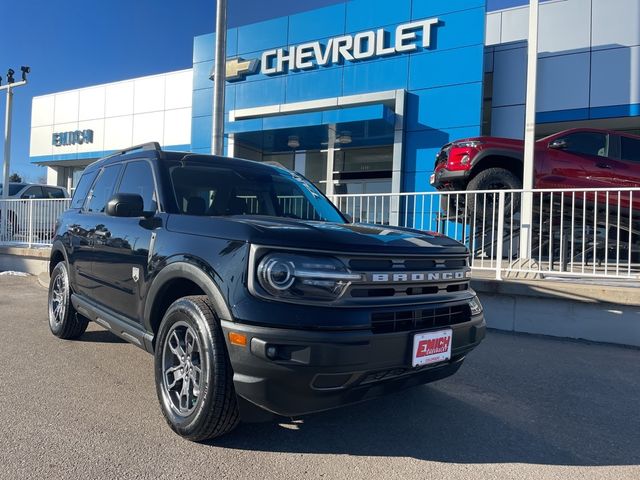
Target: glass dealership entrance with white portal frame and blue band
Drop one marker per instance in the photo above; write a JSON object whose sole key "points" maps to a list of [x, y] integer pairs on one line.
{"points": [[353, 149]]}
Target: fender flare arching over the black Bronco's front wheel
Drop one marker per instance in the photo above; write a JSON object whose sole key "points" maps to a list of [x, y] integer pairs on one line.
{"points": [[185, 270]]}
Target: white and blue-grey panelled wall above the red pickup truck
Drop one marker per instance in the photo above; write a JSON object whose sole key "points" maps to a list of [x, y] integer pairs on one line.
{"points": [[589, 56]]}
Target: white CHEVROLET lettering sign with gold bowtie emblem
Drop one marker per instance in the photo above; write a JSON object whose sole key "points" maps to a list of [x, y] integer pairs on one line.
{"points": [[345, 48]]}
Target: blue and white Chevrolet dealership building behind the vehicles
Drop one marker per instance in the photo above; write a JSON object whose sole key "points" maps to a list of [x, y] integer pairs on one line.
{"points": [[359, 96]]}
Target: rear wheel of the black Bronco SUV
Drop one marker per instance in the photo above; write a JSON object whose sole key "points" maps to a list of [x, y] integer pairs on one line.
{"points": [[64, 321]]}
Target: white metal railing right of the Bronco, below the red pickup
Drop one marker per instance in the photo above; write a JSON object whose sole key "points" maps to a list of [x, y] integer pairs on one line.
{"points": [[580, 233]]}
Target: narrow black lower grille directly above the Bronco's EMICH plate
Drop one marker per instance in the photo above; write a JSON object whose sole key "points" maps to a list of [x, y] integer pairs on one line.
{"points": [[421, 319]]}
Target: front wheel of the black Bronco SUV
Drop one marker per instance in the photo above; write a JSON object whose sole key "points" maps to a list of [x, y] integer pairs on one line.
{"points": [[194, 379]]}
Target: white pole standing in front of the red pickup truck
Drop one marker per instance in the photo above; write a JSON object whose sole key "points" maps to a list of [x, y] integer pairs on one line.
{"points": [[526, 204]]}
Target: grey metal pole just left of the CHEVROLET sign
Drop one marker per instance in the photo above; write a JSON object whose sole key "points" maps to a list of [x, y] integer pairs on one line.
{"points": [[219, 78]]}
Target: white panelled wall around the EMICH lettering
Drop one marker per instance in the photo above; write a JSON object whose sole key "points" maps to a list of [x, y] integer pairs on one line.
{"points": [[122, 114]]}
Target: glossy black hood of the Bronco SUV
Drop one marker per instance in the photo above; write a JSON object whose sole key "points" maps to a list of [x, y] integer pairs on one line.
{"points": [[321, 236]]}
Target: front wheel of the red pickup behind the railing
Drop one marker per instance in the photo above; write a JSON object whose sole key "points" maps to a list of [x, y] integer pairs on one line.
{"points": [[493, 179]]}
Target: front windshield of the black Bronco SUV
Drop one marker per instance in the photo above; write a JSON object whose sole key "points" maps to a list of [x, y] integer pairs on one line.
{"points": [[223, 191]]}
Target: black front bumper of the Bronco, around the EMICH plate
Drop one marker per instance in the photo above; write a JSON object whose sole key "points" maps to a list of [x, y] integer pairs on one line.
{"points": [[319, 370]]}
